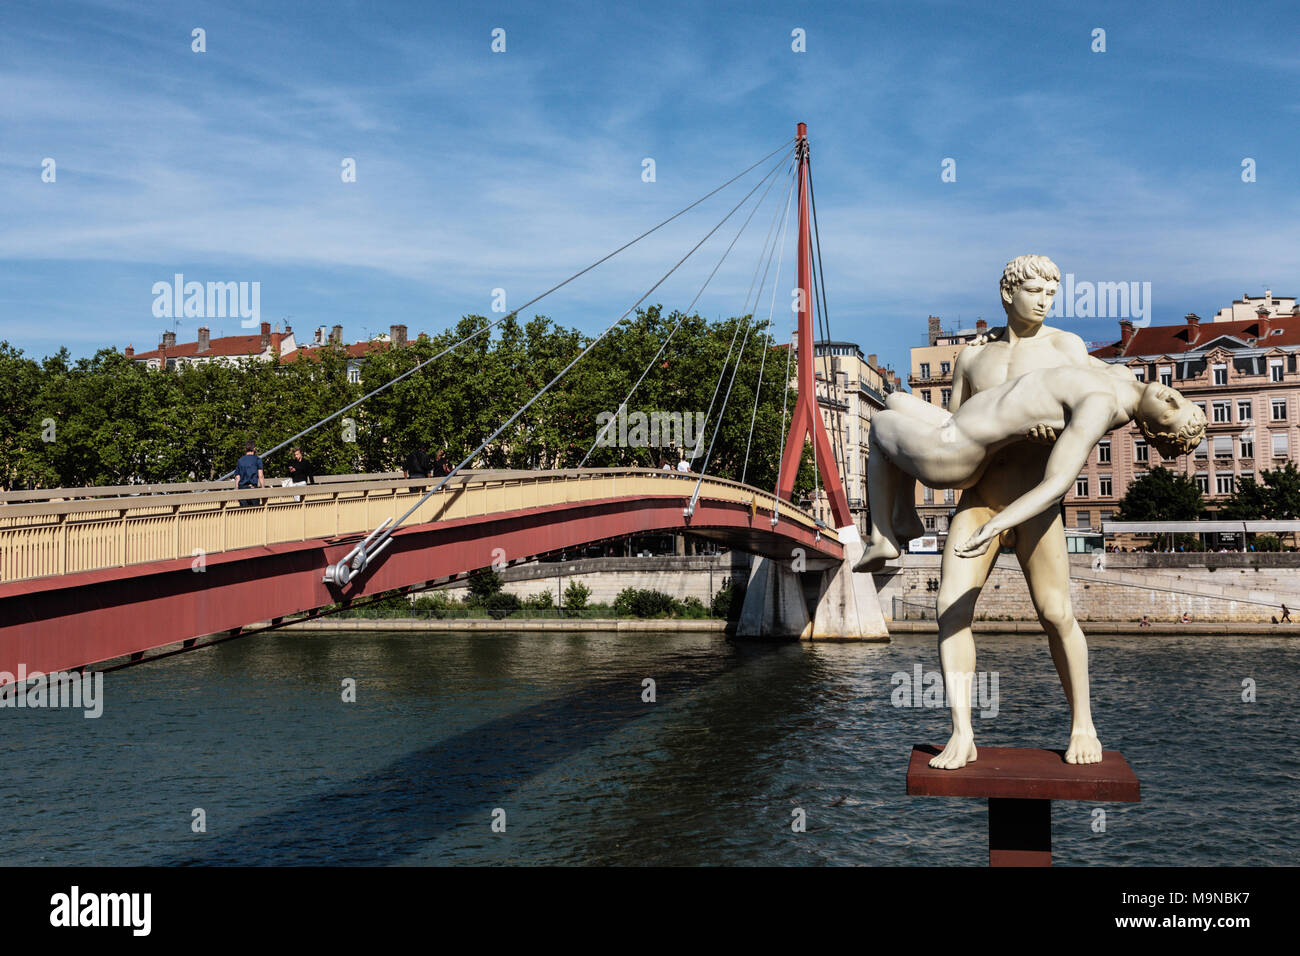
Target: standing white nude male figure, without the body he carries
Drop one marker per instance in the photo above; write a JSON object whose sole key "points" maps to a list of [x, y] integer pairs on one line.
{"points": [[1025, 345]]}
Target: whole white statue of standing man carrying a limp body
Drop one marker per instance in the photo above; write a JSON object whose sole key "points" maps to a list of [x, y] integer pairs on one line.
{"points": [[1012, 487]]}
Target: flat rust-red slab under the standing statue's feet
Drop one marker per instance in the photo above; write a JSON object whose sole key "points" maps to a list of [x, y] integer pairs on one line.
{"points": [[1026, 775]]}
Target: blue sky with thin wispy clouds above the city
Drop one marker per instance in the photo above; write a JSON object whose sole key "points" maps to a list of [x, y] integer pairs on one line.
{"points": [[480, 171]]}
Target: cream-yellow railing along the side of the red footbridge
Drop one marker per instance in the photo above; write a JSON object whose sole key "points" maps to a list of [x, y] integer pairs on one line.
{"points": [[89, 533]]}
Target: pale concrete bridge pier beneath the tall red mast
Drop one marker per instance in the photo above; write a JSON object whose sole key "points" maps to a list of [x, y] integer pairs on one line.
{"points": [[844, 604]]}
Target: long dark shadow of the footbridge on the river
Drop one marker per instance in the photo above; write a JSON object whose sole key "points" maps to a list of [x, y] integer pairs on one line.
{"points": [[387, 815]]}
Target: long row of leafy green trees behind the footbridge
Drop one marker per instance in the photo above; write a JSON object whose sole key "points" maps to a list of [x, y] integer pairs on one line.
{"points": [[109, 421]]}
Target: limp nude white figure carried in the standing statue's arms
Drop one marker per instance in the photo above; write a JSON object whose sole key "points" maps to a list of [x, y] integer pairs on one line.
{"points": [[915, 440]]}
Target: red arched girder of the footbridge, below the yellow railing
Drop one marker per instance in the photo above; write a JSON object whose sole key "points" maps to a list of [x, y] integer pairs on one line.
{"points": [[81, 620]]}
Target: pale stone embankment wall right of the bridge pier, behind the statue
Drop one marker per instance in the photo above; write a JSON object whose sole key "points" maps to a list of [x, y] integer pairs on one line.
{"points": [[1164, 587]]}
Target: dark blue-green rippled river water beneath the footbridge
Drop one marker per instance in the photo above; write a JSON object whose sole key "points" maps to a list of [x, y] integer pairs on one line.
{"points": [[551, 733]]}
